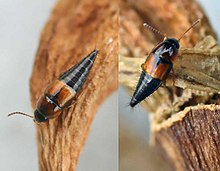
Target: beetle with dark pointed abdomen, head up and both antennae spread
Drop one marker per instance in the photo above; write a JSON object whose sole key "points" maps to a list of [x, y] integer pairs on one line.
{"points": [[157, 66]]}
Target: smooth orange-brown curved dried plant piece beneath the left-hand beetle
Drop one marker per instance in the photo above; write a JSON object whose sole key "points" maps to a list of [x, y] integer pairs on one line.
{"points": [[74, 29]]}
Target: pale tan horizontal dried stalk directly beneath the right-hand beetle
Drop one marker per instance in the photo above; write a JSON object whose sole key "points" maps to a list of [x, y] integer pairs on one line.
{"points": [[195, 68]]}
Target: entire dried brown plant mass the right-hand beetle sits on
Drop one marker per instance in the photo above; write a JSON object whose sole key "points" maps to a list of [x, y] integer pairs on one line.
{"points": [[186, 136]]}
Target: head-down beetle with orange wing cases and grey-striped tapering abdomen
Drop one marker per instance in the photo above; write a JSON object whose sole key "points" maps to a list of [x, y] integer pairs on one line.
{"points": [[62, 93]]}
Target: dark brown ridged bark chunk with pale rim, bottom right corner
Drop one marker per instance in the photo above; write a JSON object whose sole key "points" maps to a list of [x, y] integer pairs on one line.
{"points": [[191, 138]]}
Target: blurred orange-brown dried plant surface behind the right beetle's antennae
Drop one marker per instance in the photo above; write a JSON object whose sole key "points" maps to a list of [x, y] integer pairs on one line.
{"points": [[170, 17]]}
